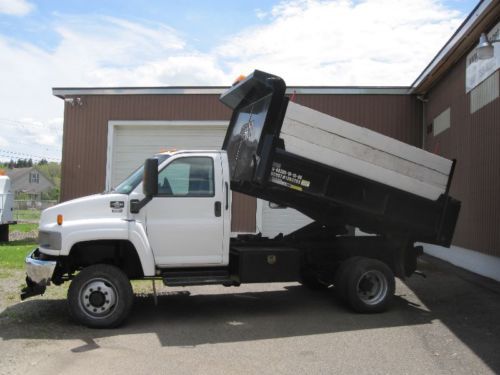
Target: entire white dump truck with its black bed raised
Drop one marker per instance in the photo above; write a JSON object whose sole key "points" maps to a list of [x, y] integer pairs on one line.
{"points": [[170, 220]]}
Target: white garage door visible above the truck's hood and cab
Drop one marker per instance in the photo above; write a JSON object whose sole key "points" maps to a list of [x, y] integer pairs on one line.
{"points": [[132, 143]]}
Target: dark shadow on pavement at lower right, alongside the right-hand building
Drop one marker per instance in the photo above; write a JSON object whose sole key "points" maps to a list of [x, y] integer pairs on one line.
{"points": [[467, 304]]}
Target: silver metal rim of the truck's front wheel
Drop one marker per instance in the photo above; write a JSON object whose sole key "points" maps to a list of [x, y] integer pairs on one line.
{"points": [[98, 298]]}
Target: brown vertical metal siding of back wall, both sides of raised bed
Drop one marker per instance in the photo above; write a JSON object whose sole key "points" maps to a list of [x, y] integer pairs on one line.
{"points": [[86, 131]]}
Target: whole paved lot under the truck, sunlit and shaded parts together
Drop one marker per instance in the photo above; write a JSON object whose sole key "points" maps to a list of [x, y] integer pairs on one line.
{"points": [[444, 324]]}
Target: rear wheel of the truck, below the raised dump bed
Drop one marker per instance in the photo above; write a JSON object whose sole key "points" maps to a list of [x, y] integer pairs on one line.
{"points": [[370, 285]]}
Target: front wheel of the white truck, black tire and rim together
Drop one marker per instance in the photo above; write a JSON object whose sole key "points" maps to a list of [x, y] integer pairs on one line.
{"points": [[100, 296]]}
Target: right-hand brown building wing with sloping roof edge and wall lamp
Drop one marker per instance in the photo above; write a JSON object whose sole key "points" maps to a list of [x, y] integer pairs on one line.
{"points": [[461, 120]]}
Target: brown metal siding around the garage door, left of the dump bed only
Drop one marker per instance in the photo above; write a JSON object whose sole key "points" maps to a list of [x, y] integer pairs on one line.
{"points": [[86, 131]]}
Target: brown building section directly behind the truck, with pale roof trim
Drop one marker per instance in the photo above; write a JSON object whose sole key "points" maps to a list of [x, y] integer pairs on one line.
{"points": [[87, 120]]}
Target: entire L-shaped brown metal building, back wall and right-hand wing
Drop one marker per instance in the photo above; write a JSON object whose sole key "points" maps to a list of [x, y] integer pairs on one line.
{"points": [[439, 112]]}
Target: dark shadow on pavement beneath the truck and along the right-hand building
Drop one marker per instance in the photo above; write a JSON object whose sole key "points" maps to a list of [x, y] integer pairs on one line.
{"points": [[466, 304]]}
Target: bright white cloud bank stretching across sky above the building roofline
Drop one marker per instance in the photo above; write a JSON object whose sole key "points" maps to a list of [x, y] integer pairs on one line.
{"points": [[309, 42]]}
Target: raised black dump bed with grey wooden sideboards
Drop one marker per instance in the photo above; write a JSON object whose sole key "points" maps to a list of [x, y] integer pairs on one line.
{"points": [[334, 171]]}
